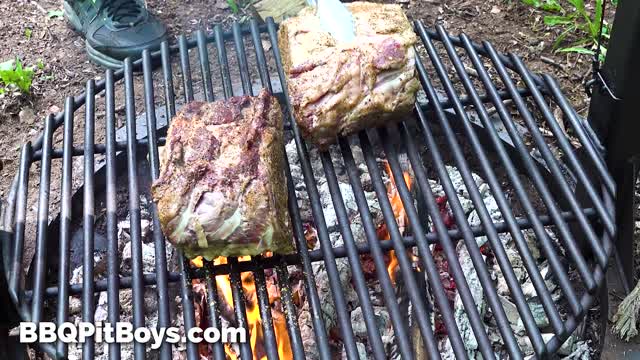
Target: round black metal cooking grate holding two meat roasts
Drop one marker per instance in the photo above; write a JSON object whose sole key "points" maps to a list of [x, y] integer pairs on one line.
{"points": [[463, 121]]}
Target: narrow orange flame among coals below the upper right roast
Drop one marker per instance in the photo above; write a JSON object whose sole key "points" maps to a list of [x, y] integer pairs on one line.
{"points": [[400, 214]]}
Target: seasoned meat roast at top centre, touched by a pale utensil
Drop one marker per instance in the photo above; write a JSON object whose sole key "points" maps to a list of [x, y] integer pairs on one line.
{"points": [[341, 88]]}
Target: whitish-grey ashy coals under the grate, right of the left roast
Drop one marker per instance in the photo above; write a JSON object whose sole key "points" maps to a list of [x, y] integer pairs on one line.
{"points": [[471, 278]]}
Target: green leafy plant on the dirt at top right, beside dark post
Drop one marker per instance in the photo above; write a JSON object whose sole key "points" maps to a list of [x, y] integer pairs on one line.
{"points": [[573, 18]]}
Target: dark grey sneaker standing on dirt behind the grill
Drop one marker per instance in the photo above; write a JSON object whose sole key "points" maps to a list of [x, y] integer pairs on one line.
{"points": [[114, 29]]}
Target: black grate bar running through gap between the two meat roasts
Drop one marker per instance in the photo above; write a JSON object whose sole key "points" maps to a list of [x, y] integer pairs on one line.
{"points": [[314, 301]]}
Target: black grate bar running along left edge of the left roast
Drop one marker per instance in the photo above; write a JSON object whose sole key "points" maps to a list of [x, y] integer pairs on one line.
{"points": [[164, 317]]}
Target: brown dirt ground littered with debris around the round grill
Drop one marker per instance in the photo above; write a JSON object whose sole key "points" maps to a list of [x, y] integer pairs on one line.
{"points": [[509, 25]]}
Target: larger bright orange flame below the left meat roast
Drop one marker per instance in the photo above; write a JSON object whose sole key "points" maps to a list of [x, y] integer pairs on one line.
{"points": [[254, 321]]}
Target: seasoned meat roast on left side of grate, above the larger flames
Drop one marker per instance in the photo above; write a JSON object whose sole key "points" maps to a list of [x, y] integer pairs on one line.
{"points": [[222, 189]]}
